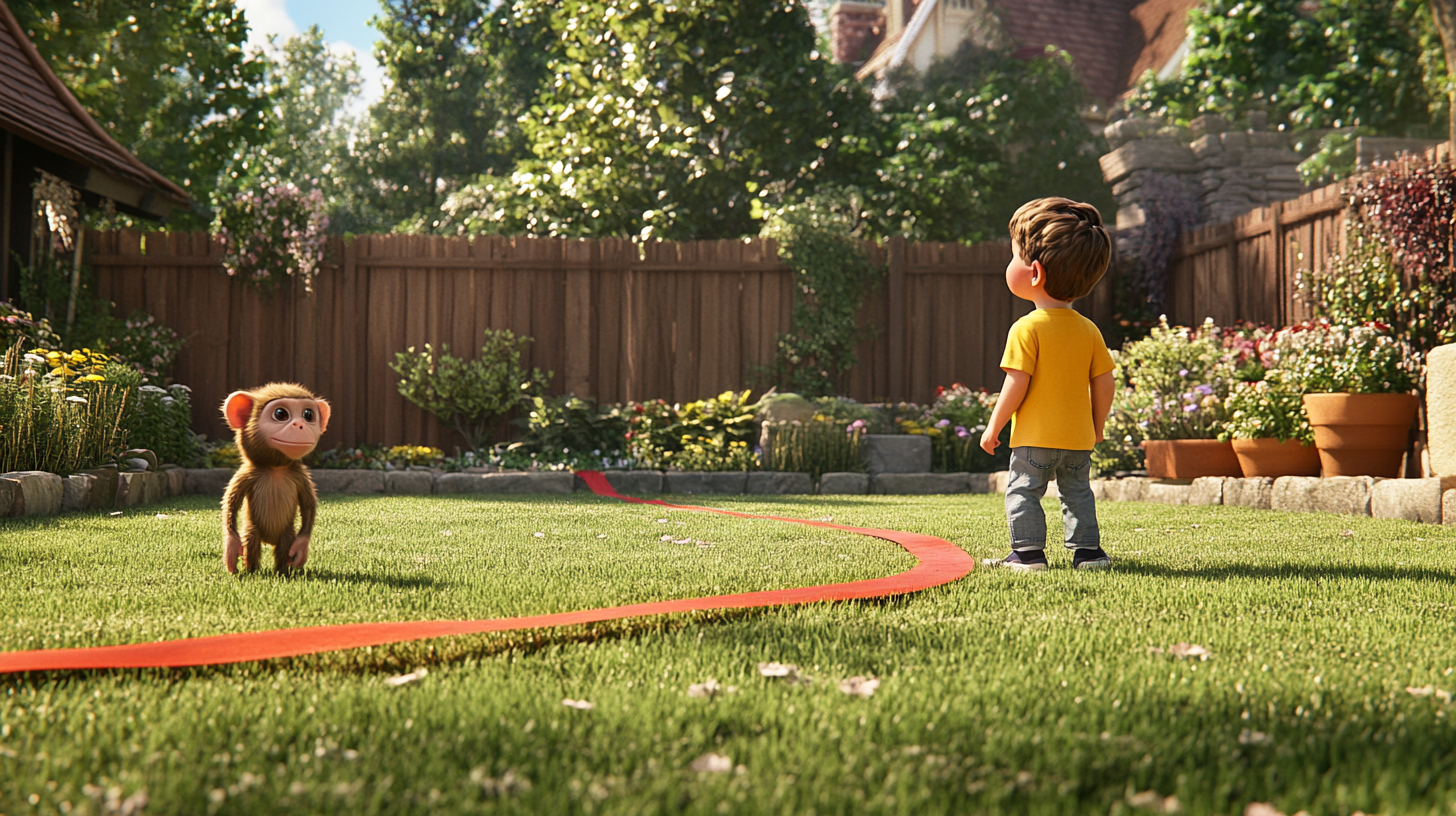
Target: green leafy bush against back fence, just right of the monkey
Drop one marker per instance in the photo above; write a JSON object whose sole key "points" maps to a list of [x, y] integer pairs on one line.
{"points": [[470, 396]]}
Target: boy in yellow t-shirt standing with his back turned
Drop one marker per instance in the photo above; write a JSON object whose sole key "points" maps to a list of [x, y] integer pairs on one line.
{"points": [[1059, 381]]}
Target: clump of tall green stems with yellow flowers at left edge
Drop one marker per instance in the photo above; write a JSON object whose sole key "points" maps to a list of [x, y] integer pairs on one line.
{"points": [[59, 413]]}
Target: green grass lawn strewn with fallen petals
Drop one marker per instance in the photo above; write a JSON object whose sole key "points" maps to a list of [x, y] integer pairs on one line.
{"points": [[1000, 694]]}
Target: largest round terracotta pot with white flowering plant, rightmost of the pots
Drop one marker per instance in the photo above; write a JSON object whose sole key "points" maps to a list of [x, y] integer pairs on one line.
{"points": [[1358, 384]]}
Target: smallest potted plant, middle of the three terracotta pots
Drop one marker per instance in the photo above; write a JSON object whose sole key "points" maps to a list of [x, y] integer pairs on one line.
{"points": [[1270, 431]]}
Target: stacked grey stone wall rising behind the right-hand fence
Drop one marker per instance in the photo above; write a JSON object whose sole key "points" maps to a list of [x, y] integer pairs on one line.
{"points": [[1233, 171]]}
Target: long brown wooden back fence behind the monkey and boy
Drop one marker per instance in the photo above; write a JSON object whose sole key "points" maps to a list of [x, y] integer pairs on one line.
{"points": [[614, 320]]}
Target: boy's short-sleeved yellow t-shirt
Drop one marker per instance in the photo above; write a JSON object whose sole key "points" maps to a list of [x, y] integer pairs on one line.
{"points": [[1062, 352]]}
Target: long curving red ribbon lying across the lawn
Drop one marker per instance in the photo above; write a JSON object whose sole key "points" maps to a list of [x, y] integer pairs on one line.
{"points": [[941, 563]]}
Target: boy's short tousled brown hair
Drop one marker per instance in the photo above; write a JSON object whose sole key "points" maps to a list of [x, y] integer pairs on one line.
{"points": [[1069, 240]]}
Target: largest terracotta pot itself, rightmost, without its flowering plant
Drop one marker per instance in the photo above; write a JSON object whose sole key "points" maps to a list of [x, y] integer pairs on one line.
{"points": [[1362, 435]]}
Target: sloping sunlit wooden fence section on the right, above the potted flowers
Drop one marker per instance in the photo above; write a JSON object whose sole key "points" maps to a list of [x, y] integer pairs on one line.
{"points": [[1250, 269]]}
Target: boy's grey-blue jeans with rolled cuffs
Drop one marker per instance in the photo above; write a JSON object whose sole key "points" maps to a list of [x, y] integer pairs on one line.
{"points": [[1032, 468]]}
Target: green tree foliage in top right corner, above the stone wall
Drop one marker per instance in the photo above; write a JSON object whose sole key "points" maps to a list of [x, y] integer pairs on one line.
{"points": [[1337, 63]]}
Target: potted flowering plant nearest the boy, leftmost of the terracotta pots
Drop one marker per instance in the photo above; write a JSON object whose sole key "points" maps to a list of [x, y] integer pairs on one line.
{"points": [[1173, 387]]}
